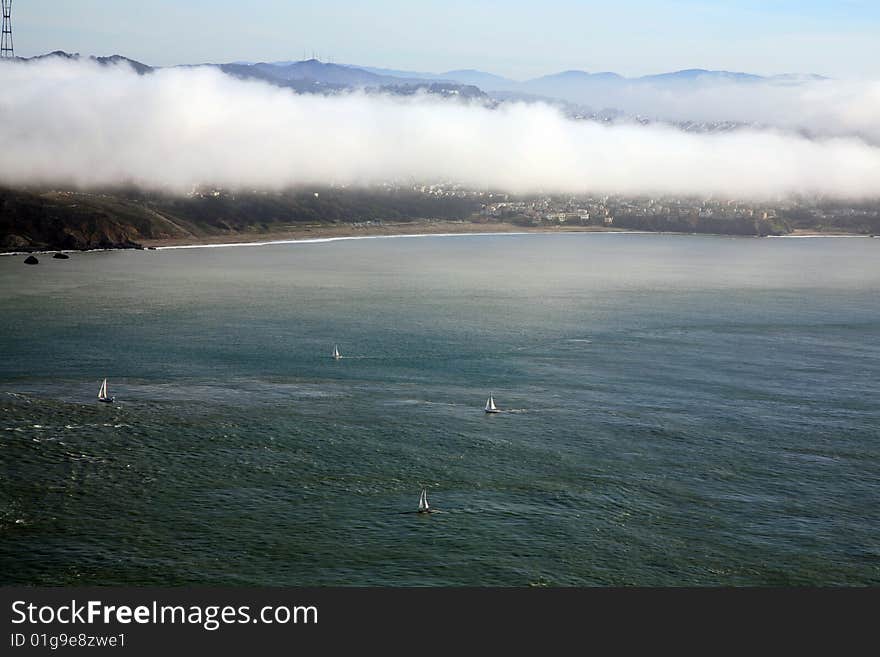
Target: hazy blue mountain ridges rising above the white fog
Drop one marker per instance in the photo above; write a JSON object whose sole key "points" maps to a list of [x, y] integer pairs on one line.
{"points": [[602, 96]]}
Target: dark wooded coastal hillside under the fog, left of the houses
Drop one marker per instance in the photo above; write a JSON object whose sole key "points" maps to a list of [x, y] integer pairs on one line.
{"points": [[40, 220]]}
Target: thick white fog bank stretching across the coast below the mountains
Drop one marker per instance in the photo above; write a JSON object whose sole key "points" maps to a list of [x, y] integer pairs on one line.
{"points": [[80, 124]]}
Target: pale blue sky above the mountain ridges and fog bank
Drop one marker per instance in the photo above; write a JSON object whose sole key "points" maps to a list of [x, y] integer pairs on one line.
{"points": [[515, 38]]}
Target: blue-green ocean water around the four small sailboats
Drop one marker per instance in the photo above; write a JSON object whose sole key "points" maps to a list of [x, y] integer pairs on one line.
{"points": [[679, 410]]}
